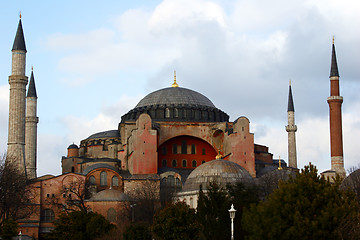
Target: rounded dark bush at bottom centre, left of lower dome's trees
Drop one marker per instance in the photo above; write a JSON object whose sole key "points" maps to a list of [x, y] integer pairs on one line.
{"points": [[176, 222]]}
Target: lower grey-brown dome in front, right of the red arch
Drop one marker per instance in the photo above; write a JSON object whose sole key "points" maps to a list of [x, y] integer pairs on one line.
{"points": [[222, 171]]}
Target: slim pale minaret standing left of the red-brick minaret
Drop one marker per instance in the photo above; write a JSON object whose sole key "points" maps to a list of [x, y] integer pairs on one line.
{"points": [[291, 128]]}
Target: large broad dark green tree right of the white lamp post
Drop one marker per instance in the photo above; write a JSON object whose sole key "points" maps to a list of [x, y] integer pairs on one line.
{"points": [[305, 207]]}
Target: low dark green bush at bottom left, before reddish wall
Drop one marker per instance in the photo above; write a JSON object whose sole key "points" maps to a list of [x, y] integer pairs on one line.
{"points": [[80, 225]]}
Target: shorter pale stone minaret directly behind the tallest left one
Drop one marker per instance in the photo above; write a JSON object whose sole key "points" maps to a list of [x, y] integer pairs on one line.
{"points": [[31, 129]]}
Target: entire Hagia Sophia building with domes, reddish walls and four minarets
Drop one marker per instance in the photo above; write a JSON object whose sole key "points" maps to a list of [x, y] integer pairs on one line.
{"points": [[174, 138]]}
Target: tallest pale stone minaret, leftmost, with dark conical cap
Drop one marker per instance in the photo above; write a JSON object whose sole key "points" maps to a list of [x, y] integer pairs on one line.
{"points": [[17, 81]]}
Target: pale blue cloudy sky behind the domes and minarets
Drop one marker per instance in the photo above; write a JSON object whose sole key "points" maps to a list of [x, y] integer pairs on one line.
{"points": [[93, 62]]}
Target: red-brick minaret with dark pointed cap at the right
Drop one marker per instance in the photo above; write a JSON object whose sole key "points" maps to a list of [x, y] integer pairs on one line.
{"points": [[335, 101]]}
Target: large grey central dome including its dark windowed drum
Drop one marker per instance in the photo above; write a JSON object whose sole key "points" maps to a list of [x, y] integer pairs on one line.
{"points": [[177, 104]]}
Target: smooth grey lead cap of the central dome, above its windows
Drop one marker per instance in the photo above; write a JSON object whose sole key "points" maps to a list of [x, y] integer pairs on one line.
{"points": [[175, 96]]}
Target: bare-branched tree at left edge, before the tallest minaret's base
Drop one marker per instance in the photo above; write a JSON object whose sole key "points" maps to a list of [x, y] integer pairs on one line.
{"points": [[15, 195]]}
